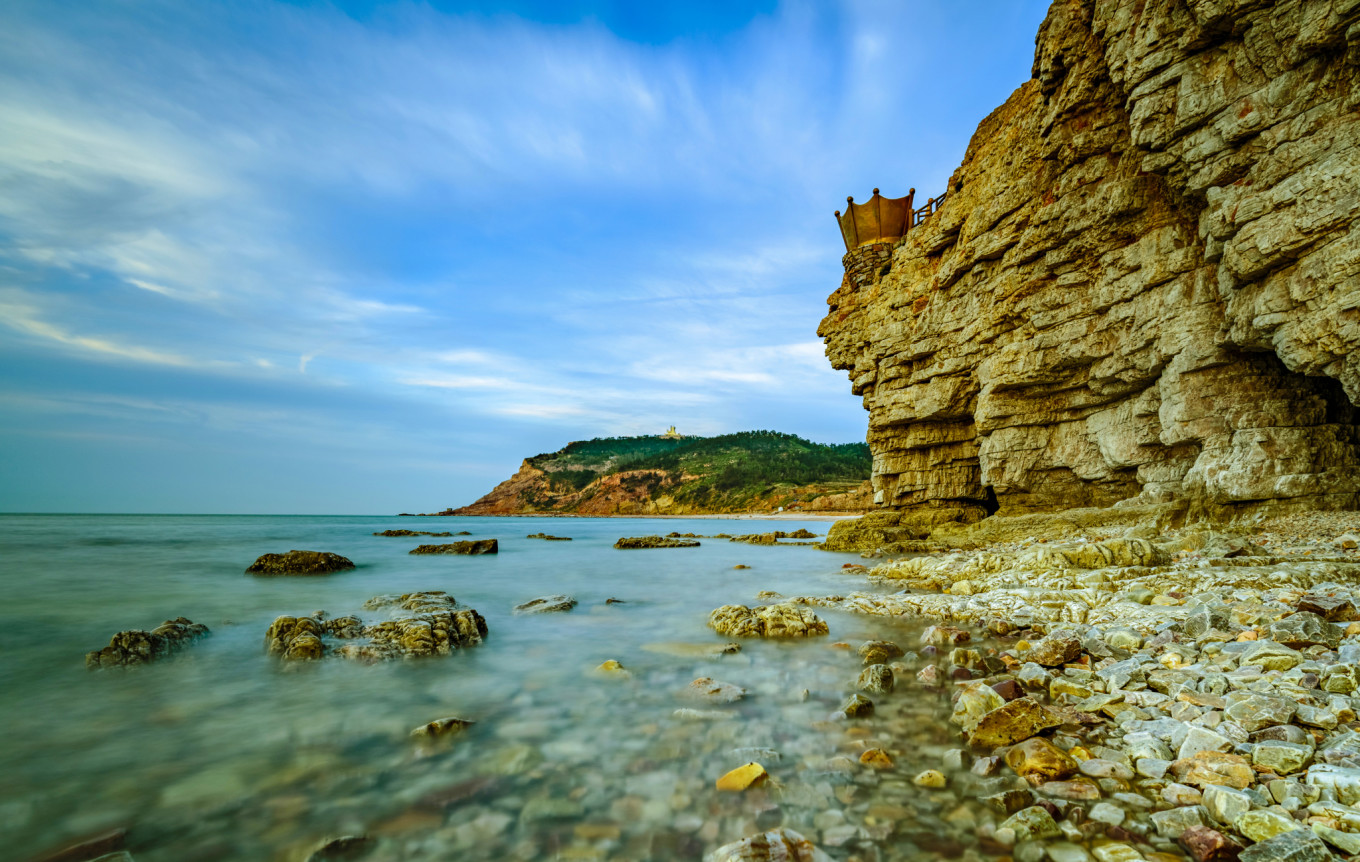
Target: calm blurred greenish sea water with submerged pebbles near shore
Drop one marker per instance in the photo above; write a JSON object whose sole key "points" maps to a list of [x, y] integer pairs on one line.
{"points": [[224, 754]]}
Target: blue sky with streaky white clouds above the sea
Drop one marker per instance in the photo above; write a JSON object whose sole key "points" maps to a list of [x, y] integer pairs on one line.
{"points": [[365, 258]]}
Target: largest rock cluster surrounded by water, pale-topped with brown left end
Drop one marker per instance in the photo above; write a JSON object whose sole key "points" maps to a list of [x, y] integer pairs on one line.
{"points": [[422, 625]]}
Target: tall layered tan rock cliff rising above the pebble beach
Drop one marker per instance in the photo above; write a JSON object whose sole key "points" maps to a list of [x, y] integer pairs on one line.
{"points": [[1146, 283]]}
